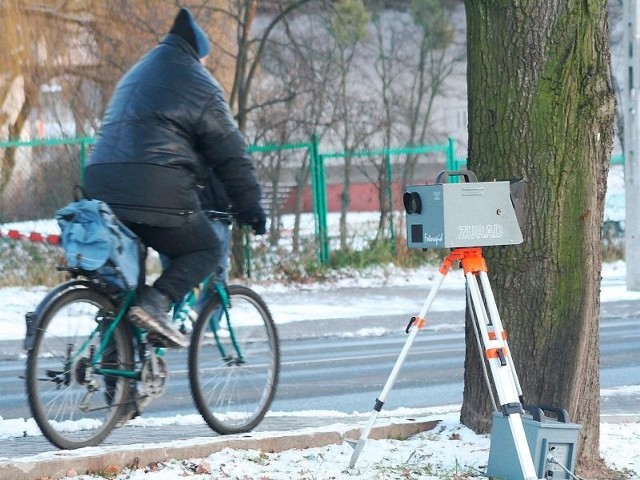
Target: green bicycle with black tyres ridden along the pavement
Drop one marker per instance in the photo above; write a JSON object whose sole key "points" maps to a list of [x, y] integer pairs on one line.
{"points": [[88, 369]]}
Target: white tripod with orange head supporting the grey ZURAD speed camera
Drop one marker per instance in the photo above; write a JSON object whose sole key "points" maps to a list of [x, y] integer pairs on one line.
{"points": [[491, 335]]}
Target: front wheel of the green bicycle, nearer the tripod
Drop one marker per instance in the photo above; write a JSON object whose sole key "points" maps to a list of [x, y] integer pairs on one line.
{"points": [[234, 362]]}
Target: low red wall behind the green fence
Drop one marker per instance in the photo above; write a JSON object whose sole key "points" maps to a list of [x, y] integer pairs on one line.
{"points": [[365, 197]]}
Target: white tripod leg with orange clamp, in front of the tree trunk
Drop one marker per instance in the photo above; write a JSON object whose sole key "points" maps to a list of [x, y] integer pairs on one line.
{"points": [[502, 369]]}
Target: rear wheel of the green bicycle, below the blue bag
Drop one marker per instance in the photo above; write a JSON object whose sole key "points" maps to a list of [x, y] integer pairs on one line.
{"points": [[73, 405]]}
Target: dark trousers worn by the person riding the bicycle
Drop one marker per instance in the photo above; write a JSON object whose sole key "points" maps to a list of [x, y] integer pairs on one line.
{"points": [[193, 250]]}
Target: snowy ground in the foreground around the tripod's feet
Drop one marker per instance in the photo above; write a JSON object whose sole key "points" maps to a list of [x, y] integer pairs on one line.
{"points": [[449, 451]]}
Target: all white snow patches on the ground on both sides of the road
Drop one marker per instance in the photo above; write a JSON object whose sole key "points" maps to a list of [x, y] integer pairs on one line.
{"points": [[449, 451]]}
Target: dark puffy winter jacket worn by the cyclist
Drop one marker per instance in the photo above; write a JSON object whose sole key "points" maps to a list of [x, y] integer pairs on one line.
{"points": [[167, 122]]}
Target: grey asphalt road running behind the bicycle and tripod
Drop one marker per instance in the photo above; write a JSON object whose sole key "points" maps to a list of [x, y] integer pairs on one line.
{"points": [[327, 365]]}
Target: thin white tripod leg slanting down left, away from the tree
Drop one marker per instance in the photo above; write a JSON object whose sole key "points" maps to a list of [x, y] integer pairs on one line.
{"points": [[416, 325]]}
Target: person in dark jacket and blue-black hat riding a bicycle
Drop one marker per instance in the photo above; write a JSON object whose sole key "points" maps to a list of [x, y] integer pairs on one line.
{"points": [[167, 123]]}
